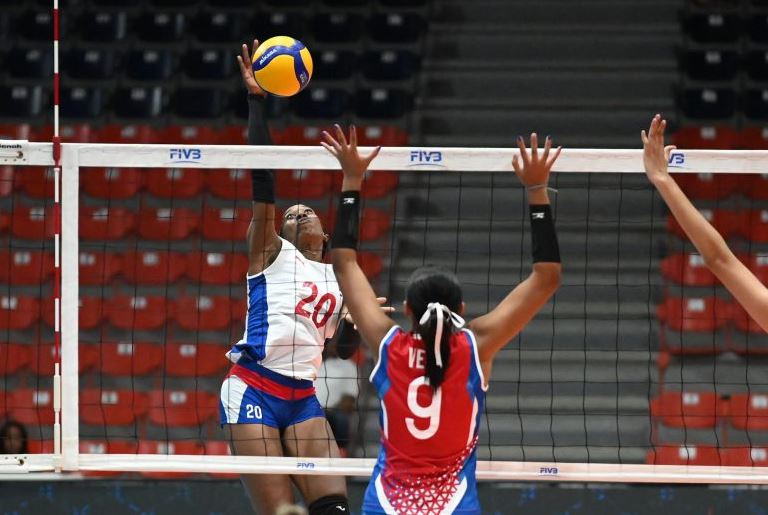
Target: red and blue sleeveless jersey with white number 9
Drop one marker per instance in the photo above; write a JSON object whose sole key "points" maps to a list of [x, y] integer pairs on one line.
{"points": [[427, 459]]}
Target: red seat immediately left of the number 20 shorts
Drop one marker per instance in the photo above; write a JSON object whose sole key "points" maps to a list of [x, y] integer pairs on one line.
{"points": [[180, 408]]}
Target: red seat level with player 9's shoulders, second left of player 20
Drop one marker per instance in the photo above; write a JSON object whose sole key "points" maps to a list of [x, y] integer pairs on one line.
{"points": [[130, 359]]}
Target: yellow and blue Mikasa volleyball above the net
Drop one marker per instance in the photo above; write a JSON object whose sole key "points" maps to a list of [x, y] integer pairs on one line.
{"points": [[282, 66]]}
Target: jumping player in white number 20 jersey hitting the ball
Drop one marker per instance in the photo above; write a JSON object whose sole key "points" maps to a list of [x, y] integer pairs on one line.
{"points": [[268, 402]]}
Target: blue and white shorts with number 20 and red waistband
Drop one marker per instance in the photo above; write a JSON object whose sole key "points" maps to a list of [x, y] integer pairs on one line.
{"points": [[249, 397]]}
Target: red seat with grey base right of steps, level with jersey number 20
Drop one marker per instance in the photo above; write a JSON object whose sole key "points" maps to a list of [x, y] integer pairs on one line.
{"points": [[693, 325]]}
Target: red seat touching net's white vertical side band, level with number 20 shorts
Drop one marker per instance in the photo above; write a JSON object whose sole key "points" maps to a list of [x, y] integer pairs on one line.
{"points": [[108, 407]]}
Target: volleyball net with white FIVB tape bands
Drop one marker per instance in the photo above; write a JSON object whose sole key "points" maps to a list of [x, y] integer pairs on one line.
{"points": [[641, 369]]}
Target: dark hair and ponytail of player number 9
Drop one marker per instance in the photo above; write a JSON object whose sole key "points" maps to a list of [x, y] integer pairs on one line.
{"points": [[427, 285]]}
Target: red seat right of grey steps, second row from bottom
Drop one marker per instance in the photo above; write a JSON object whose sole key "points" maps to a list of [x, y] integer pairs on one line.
{"points": [[692, 410]]}
